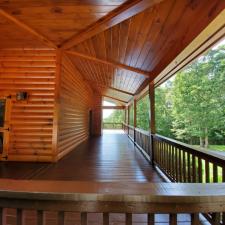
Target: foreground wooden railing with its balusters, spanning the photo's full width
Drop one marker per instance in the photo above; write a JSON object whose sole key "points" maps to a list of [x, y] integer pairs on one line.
{"points": [[83, 198]]}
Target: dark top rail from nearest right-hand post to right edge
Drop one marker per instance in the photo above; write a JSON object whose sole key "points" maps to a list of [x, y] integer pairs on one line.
{"points": [[202, 153]]}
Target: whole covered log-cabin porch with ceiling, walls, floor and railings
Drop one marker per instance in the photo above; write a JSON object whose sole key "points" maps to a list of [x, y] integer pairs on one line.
{"points": [[59, 61]]}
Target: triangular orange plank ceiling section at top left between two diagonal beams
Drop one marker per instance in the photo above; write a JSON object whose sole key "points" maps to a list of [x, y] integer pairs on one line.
{"points": [[59, 20]]}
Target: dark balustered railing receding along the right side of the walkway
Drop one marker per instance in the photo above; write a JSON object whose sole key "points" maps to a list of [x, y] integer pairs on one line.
{"points": [[181, 162]]}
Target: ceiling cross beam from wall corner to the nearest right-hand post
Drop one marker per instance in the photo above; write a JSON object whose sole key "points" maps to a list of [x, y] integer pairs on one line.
{"points": [[110, 63]]}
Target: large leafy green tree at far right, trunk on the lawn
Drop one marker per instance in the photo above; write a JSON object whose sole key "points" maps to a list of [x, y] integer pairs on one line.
{"points": [[199, 98]]}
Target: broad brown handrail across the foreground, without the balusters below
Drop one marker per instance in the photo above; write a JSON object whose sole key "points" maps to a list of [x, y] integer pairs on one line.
{"points": [[154, 193]]}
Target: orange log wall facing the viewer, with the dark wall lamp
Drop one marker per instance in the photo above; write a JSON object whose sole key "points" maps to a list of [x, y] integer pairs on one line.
{"points": [[31, 120]]}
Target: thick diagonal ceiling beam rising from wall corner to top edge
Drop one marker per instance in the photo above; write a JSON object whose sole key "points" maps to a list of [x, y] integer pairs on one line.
{"points": [[123, 12]]}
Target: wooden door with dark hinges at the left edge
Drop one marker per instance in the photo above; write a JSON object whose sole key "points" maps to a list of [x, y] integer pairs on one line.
{"points": [[5, 106]]}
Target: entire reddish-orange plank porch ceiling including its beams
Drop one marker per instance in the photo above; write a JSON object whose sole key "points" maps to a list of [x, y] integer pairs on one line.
{"points": [[123, 43]]}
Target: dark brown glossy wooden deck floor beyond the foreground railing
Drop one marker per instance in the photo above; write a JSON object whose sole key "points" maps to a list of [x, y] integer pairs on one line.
{"points": [[111, 157]]}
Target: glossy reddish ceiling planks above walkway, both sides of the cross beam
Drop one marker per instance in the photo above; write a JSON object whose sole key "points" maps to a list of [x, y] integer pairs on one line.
{"points": [[146, 41]]}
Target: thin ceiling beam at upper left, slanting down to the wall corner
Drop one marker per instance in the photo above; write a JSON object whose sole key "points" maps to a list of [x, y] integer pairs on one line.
{"points": [[22, 25]]}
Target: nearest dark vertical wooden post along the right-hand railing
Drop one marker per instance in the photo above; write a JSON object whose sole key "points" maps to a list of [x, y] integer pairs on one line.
{"points": [[152, 118]]}
